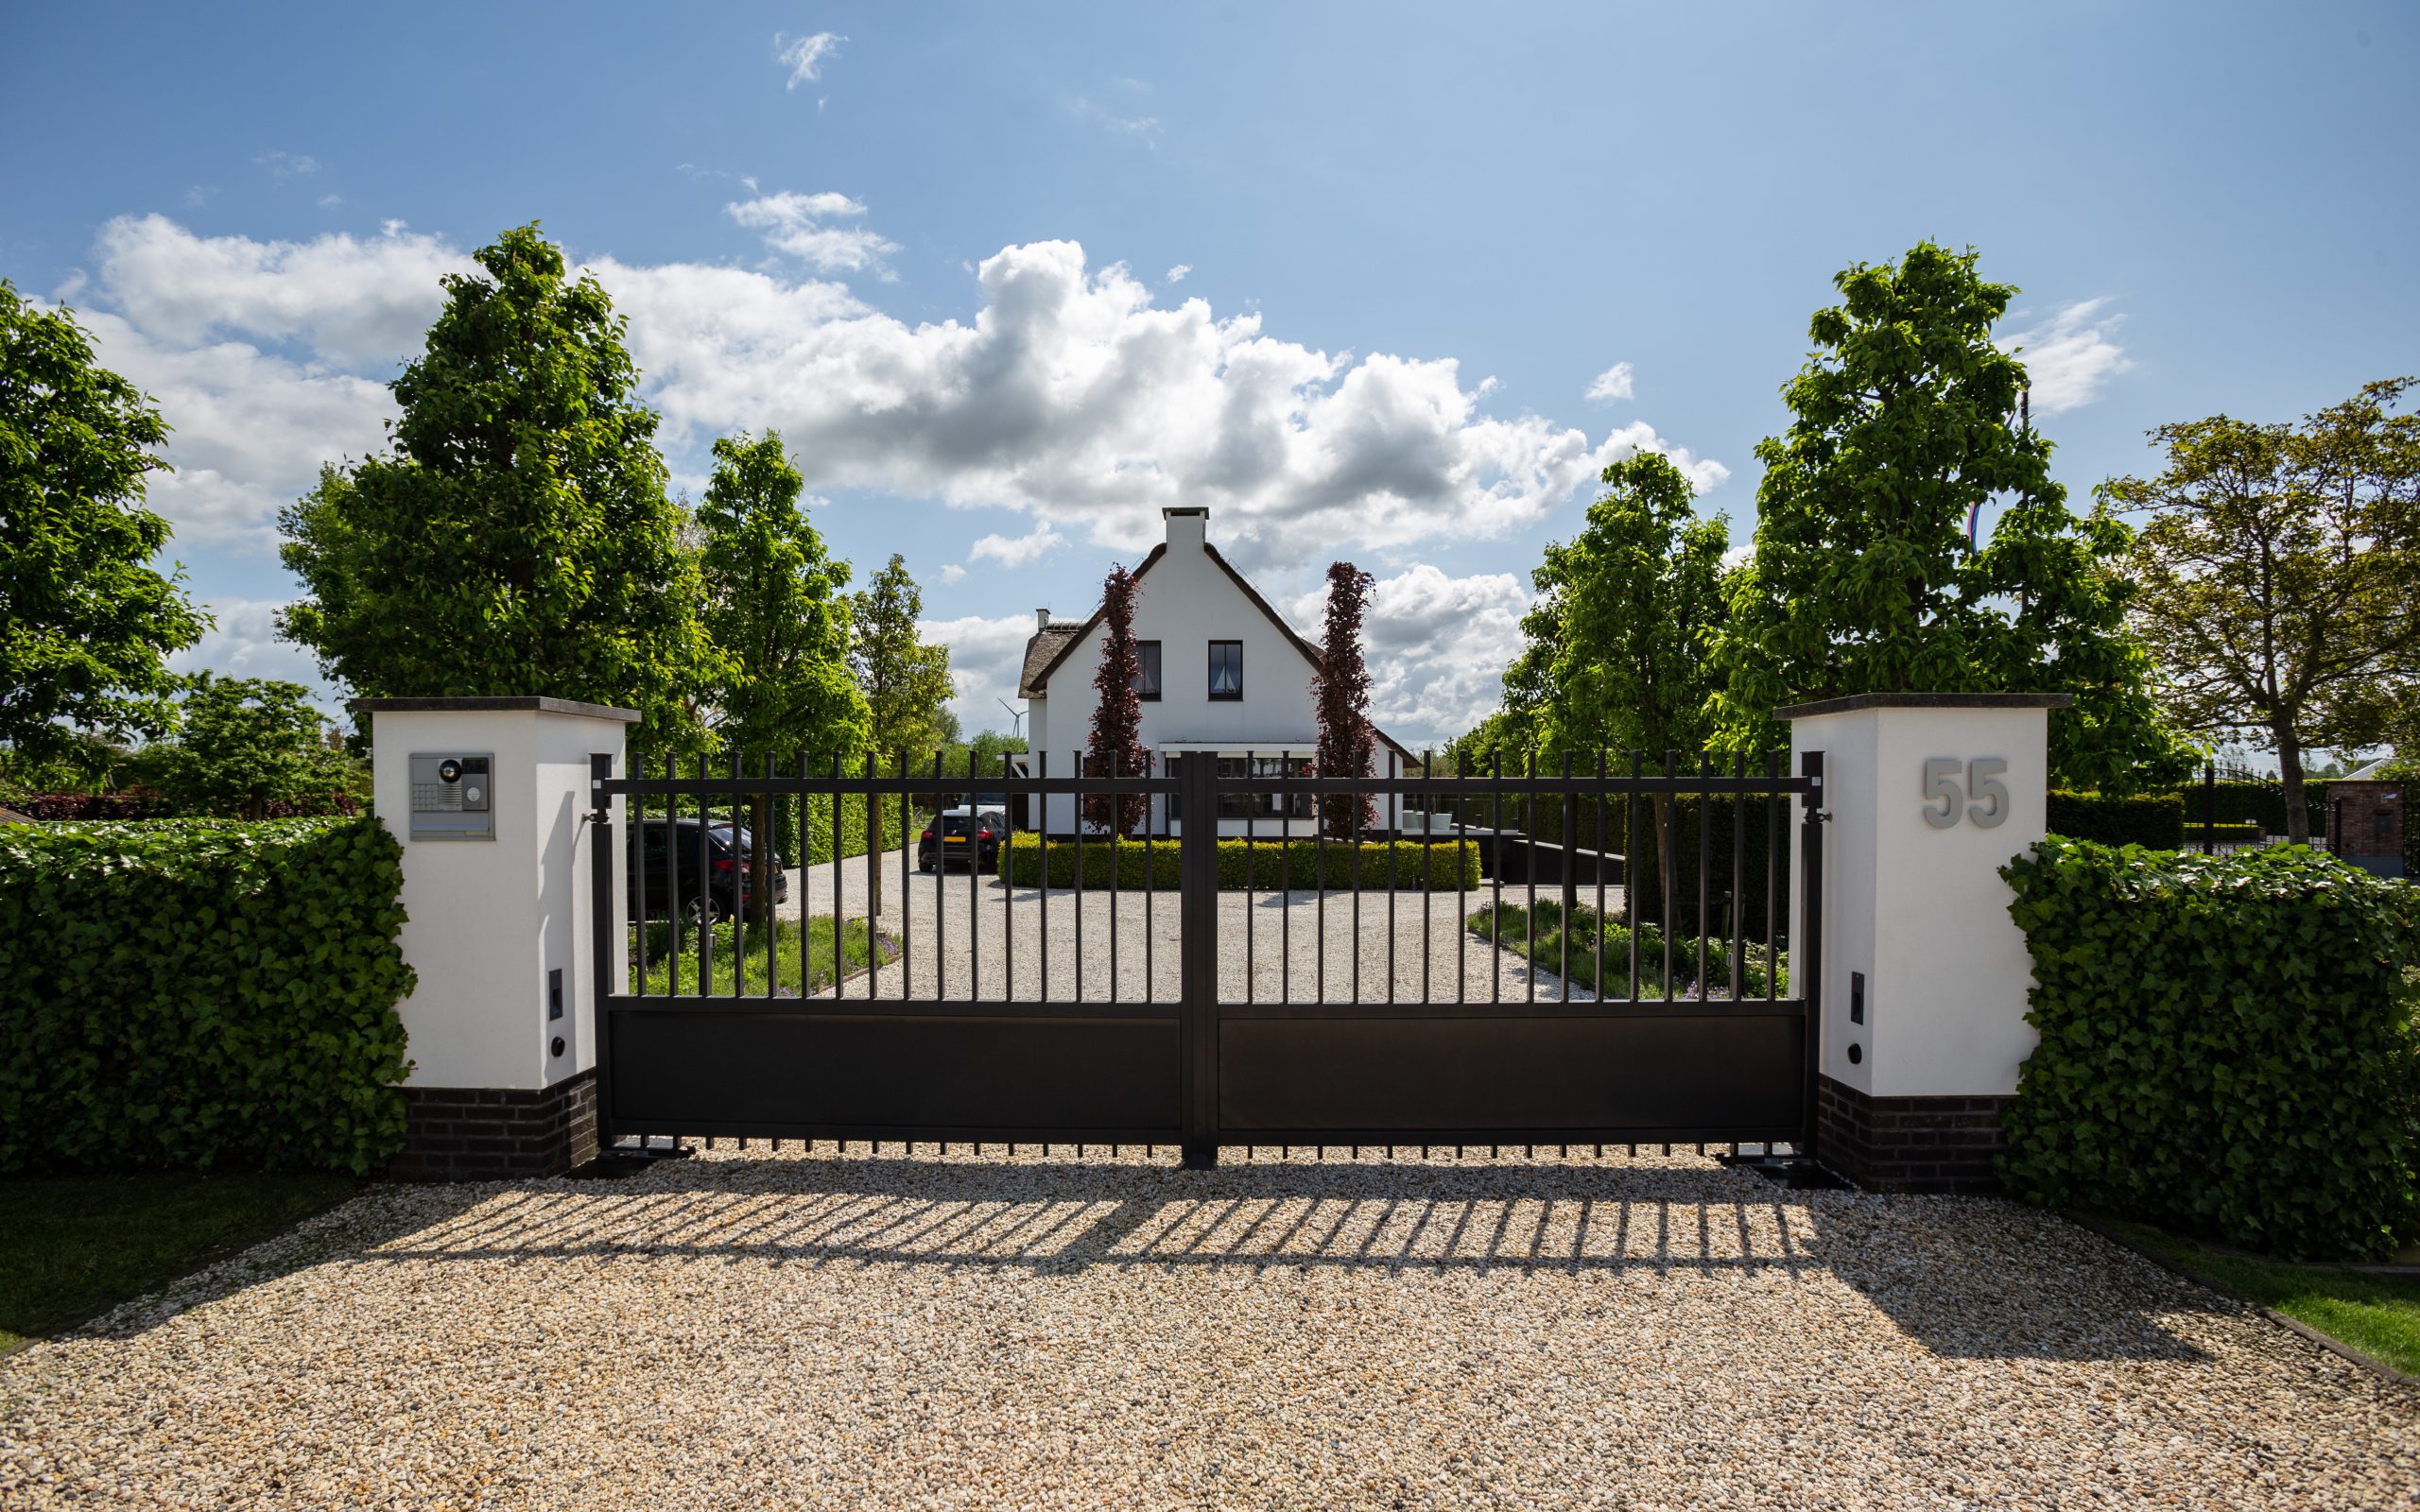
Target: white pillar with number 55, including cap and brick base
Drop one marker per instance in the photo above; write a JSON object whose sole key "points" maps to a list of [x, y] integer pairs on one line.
{"points": [[1925, 974]]}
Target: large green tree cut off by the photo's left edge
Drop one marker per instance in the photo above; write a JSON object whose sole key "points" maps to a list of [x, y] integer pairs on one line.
{"points": [[86, 623]]}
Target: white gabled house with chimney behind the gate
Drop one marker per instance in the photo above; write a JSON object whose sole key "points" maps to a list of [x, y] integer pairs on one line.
{"points": [[1223, 681]]}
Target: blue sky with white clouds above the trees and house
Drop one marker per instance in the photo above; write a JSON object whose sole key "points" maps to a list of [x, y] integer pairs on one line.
{"points": [[940, 250]]}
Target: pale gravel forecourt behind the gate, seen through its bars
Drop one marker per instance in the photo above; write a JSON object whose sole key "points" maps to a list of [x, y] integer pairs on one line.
{"points": [[1289, 940]]}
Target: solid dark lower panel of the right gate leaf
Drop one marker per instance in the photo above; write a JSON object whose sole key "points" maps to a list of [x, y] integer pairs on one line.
{"points": [[1565, 1073]]}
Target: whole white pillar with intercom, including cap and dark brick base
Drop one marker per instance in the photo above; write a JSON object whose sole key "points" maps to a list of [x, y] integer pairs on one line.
{"points": [[490, 802]]}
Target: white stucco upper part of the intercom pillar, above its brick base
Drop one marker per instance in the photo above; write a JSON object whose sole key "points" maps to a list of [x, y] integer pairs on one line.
{"points": [[488, 921]]}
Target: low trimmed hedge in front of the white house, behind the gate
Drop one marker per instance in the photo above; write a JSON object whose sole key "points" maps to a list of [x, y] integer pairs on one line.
{"points": [[1269, 865]]}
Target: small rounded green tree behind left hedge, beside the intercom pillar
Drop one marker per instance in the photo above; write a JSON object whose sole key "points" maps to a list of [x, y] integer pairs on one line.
{"points": [[246, 744]]}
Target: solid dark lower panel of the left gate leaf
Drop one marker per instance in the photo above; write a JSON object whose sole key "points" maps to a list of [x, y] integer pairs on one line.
{"points": [[817, 1073]]}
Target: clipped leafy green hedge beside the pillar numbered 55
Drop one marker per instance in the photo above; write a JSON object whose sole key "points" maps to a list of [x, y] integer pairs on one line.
{"points": [[2228, 1046]]}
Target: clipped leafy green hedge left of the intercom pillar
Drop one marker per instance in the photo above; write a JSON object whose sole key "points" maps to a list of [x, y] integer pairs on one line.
{"points": [[202, 993]]}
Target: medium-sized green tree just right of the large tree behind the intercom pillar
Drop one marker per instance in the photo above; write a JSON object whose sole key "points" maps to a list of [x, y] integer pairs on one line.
{"points": [[780, 628]]}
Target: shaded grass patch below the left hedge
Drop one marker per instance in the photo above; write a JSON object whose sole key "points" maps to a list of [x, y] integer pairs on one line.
{"points": [[79, 1245]]}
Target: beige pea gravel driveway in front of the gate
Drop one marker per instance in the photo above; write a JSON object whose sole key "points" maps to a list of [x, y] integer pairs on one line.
{"points": [[756, 1329]]}
